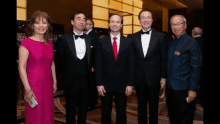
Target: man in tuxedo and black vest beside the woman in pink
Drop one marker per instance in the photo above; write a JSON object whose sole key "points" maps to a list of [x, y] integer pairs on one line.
{"points": [[73, 56]]}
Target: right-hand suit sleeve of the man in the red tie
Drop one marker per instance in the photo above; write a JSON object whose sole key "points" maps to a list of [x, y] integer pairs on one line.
{"points": [[131, 64]]}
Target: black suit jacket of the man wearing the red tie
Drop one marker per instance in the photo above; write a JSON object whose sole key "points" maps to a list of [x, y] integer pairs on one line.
{"points": [[115, 75]]}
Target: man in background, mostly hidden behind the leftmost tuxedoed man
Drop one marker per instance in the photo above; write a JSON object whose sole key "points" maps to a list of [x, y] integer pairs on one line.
{"points": [[92, 96]]}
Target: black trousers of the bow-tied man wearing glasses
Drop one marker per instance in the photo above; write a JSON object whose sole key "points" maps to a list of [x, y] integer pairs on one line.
{"points": [[144, 94]]}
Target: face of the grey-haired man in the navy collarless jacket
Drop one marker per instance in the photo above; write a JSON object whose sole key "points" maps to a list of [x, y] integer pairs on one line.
{"points": [[178, 25]]}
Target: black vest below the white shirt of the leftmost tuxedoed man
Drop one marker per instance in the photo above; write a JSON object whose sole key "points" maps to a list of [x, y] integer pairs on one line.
{"points": [[82, 67]]}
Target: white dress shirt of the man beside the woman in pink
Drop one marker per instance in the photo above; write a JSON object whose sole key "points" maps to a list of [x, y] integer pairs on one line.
{"points": [[80, 46]]}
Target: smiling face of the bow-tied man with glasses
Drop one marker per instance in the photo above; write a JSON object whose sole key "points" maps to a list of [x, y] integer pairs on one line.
{"points": [[146, 20]]}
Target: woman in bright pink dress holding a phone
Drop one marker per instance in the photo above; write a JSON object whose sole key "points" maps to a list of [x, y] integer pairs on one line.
{"points": [[37, 70]]}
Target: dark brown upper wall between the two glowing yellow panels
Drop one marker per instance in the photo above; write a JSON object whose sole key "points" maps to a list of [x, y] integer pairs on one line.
{"points": [[60, 11]]}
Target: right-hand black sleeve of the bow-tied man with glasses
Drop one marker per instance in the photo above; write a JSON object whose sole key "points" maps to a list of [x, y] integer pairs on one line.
{"points": [[163, 56]]}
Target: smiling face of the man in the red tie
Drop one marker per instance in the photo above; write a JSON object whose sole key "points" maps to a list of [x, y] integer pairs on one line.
{"points": [[115, 23]]}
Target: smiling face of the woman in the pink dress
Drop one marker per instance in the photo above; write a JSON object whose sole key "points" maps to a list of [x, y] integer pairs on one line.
{"points": [[40, 26]]}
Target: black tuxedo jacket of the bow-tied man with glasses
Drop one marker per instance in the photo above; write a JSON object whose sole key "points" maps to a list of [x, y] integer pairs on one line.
{"points": [[153, 66]]}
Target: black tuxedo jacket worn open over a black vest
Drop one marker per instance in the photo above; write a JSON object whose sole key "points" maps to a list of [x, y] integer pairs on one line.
{"points": [[67, 60]]}
